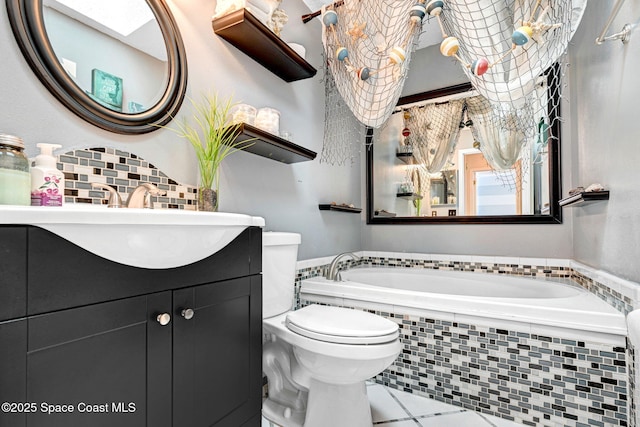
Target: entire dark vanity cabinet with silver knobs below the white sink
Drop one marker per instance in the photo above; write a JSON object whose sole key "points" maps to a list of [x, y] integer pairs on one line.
{"points": [[89, 342]]}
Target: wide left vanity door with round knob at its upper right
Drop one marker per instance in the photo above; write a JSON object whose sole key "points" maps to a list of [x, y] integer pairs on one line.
{"points": [[96, 363]]}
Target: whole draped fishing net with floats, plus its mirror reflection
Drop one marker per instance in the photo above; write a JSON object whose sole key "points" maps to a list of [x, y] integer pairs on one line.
{"points": [[505, 47]]}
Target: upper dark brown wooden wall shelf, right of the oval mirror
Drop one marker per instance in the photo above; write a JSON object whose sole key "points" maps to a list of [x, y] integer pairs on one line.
{"points": [[247, 33]]}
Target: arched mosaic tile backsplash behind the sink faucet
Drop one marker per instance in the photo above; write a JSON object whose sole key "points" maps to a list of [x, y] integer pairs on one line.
{"points": [[124, 172]]}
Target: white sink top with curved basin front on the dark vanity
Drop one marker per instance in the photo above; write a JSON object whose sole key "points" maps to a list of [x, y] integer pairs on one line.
{"points": [[147, 238]]}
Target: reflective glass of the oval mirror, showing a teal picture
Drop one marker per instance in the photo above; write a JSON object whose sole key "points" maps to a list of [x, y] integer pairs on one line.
{"points": [[114, 51]]}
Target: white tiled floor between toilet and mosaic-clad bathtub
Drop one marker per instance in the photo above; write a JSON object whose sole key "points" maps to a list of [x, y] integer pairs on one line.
{"points": [[393, 408]]}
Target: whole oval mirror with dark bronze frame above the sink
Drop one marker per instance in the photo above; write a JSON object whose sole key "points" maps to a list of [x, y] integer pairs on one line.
{"points": [[118, 64]]}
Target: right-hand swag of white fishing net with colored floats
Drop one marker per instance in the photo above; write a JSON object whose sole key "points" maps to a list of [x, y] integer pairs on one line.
{"points": [[505, 45]]}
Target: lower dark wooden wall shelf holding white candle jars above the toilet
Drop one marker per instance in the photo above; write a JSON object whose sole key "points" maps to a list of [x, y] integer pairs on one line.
{"points": [[271, 146]]}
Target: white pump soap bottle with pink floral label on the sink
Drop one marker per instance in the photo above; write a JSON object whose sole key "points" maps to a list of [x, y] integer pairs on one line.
{"points": [[47, 182]]}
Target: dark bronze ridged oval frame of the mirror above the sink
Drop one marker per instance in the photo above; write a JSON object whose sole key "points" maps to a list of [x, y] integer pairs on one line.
{"points": [[27, 23]]}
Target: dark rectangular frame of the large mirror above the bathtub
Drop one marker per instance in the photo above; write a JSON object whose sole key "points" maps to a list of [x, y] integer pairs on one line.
{"points": [[555, 184]]}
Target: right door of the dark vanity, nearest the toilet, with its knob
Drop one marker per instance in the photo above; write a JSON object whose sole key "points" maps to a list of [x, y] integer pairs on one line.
{"points": [[218, 354]]}
